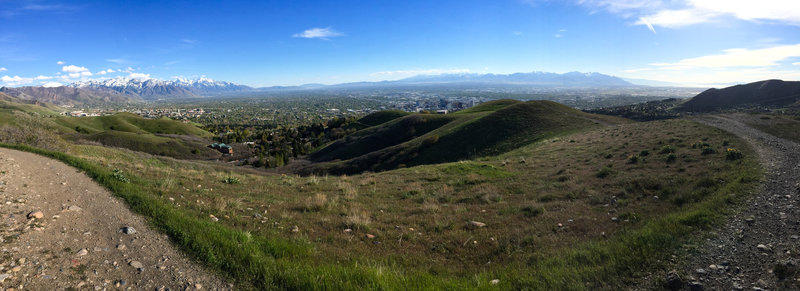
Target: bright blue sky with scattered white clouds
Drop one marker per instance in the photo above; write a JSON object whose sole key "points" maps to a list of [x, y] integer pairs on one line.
{"points": [[268, 43]]}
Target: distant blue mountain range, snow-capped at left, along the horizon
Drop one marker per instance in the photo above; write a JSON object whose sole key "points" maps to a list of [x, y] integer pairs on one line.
{"points": [[124, 89]]}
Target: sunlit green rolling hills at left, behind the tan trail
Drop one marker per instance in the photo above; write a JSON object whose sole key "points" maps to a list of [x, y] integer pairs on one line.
{"points": [[163, 137]]}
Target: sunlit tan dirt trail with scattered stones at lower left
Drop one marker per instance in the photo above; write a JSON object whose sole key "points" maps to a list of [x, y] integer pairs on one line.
{"points": [[85, 239]]}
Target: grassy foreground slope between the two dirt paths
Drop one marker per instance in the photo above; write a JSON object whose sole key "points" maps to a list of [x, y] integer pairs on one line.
{"points": [[588, 210]]}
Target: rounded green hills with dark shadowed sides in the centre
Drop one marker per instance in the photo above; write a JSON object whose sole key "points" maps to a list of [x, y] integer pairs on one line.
{"points": [[485, 130]]}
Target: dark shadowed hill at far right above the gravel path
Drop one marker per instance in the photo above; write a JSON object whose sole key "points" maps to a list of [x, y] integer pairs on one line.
{"points": [[762, 93]]}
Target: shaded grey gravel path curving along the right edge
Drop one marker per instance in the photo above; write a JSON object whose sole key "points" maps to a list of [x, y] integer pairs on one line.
{"points": [[758, 249]]}
